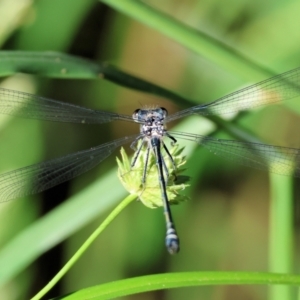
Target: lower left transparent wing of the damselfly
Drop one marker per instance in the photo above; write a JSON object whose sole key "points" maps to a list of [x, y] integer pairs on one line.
{"points": [[39, 177]]}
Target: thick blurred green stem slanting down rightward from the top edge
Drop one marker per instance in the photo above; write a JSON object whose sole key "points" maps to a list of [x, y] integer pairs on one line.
{"points": [[216, 51]]}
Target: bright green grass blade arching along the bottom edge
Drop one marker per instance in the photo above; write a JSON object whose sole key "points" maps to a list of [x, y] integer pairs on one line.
{"points": [[148, 283]]}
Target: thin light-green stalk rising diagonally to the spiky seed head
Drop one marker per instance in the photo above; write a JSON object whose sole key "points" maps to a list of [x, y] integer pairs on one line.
{"points": [[85, 246]]}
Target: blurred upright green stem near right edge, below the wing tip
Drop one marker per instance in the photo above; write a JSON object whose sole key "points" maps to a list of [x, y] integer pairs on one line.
{"points": [[281, 232]]}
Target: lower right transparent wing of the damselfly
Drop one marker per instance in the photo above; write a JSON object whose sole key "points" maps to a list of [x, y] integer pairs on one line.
{"points": [[281, 160]]}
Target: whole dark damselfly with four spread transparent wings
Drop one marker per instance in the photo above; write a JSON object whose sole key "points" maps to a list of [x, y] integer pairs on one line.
{"points": [[151, 137]]}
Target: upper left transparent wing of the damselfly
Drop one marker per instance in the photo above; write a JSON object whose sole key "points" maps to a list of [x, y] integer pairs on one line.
{"points": [[30, 106]]}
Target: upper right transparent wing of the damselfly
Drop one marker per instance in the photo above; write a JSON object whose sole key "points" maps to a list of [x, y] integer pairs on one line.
{"points": [[278, 88]]}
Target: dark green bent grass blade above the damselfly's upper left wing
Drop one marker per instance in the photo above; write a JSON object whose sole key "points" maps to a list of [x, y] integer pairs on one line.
{"points": [[64, 66]]}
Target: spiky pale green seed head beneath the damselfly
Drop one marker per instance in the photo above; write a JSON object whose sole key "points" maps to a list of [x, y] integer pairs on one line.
{"points": [[150, 193]]}
